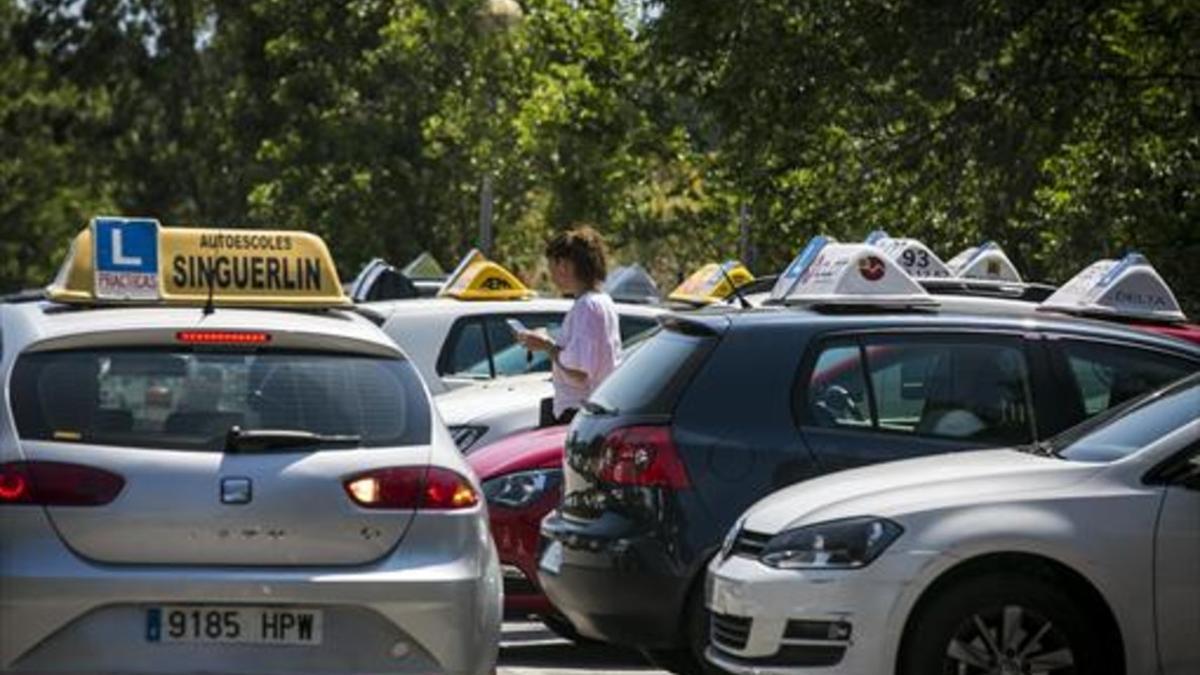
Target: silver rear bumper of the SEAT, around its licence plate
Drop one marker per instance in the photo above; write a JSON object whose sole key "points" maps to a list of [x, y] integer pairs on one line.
{"points": [[413, 612]]}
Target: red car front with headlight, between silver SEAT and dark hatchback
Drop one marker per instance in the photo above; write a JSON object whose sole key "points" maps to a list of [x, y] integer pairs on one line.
{"points": [[523, 479]]}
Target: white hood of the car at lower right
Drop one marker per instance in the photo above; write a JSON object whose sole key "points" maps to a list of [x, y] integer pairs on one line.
{"points": [[896, 489]]}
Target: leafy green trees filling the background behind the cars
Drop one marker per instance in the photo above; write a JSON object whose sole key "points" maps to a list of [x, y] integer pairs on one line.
{"points": [[1067, 130]]}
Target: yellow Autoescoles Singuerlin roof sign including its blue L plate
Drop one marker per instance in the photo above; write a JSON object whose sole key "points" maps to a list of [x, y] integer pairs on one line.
{"points": [[133, 261]]}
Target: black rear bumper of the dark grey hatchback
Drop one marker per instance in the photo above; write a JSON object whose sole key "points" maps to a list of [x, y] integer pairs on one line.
{"points": [[627, 590]]}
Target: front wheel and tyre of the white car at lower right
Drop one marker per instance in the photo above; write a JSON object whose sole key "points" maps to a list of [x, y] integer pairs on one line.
{"points": [[1005, 619]]}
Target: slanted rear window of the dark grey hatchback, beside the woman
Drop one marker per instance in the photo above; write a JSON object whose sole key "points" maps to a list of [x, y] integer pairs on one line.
{"points": [[652, 377]]}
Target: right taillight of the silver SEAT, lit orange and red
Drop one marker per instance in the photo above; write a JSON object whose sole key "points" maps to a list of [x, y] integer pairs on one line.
{"points": [[412, 487]]}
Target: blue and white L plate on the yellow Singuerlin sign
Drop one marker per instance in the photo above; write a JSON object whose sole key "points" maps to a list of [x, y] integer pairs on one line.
{"points": [[127, 258]]}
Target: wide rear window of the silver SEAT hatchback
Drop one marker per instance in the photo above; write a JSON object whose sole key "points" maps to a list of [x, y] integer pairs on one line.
{"points": [[190, 401]]}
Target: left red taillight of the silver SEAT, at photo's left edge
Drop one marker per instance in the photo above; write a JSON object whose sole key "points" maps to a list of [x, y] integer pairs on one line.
{"points": [[53, 483]]}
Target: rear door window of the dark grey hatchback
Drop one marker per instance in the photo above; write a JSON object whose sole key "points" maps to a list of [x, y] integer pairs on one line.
{"points": [[975, 390]]}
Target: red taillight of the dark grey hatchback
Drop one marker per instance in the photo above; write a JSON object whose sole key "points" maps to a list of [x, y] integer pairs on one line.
{"points": [[643, 457]]}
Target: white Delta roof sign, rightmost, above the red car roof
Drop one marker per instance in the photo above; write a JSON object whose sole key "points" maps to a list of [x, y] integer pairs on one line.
{"points": [[1130, 288]]}
